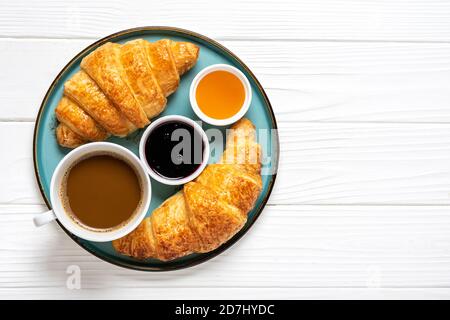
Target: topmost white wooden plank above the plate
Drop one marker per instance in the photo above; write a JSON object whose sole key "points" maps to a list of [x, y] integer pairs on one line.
{"points": [[417, 20]]}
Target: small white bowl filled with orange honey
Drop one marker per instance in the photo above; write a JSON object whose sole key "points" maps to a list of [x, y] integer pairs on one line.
{"points": [[220, 94]]}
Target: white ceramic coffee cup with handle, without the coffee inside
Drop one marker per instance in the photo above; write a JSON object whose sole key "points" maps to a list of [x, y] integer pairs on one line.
{"points": [[58, 211]]}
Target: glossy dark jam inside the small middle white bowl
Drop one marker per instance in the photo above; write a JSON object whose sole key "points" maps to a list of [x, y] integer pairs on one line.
{"points": [[174, 150]]}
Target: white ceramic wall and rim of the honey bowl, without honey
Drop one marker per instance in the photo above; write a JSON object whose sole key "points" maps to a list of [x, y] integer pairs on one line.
{"points": [[244, 107]]}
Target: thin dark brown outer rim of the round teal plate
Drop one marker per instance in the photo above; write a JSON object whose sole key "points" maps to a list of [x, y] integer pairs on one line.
{"points": [[205, 256]]}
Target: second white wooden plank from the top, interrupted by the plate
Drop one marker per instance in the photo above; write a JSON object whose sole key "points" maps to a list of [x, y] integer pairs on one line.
{"points": [[315, 82]]}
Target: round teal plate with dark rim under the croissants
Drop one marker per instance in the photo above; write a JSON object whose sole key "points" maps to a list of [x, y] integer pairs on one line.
{"points": [[47, 153]]}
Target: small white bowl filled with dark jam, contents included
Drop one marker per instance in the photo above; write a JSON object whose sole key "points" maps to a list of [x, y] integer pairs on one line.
{"points": [[174, 150]]}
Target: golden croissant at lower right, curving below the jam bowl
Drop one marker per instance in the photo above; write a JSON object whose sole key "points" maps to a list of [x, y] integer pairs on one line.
{"points": [[209, 210]]}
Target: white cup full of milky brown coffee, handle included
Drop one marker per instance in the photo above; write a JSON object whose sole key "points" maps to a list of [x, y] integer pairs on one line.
{"points": [[99, 192]]}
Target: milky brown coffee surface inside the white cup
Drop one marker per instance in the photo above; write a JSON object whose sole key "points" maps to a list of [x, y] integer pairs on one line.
{"points": [[102, 191]]}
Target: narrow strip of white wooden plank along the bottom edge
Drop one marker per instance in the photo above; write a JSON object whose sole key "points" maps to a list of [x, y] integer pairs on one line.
{"points": [[227, 293]]}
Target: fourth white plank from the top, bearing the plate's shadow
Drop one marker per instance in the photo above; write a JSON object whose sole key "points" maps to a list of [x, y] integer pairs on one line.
{"points": [[289, 248]]}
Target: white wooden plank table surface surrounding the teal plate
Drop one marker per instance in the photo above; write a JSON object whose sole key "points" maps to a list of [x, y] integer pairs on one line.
{"points": [[361, 91]]}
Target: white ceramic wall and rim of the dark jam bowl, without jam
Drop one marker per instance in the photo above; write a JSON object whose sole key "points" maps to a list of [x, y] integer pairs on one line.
{"points": [[159, 122]]}
